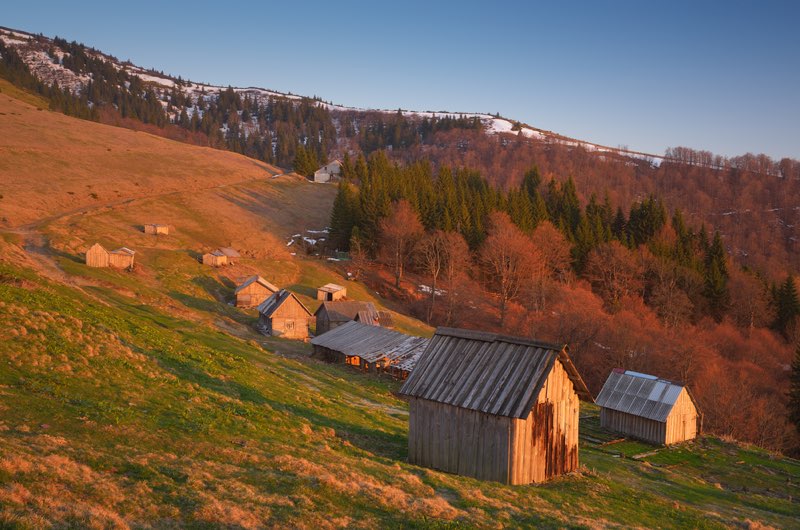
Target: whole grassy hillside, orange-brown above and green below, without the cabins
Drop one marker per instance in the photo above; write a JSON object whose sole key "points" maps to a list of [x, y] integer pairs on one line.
{"points": [[144, 399]]}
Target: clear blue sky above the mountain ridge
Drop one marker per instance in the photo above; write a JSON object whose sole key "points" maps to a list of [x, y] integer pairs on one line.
{"points": [[722, 76]]}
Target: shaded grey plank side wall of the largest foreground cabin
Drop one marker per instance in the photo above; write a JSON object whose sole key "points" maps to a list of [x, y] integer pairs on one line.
{"points": [[458, 440]]}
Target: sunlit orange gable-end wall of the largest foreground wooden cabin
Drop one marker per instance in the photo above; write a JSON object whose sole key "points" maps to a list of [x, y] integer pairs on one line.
{"points": [[545, 444]]}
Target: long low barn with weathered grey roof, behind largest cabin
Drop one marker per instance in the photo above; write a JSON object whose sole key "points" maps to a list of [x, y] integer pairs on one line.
{"points": [[372, 348]]}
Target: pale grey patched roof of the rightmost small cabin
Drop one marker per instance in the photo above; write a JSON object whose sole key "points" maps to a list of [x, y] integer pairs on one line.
{"points": [[639, 394]]}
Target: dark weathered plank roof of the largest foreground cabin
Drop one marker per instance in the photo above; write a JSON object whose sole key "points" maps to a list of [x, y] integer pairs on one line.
{"points": [[487, 372]]}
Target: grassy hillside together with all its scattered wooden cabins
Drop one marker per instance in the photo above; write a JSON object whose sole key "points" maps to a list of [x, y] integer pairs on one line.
{"points": [[204, 372]]}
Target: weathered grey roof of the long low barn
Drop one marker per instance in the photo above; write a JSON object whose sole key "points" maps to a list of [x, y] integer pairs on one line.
{"points": [[371, 343]]}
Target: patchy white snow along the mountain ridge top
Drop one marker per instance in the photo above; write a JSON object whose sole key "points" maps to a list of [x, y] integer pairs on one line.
{"points": [[36, 52]]}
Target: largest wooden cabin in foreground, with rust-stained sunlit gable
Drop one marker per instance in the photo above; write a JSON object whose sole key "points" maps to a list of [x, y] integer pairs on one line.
{"points": [[494, 407]]}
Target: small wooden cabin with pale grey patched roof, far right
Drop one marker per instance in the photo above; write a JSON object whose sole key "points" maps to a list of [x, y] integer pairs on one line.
{"points": [[645, 407]]}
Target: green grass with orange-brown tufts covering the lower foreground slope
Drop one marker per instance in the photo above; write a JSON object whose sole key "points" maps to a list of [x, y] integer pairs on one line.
{"points": [[114, 411]]}
